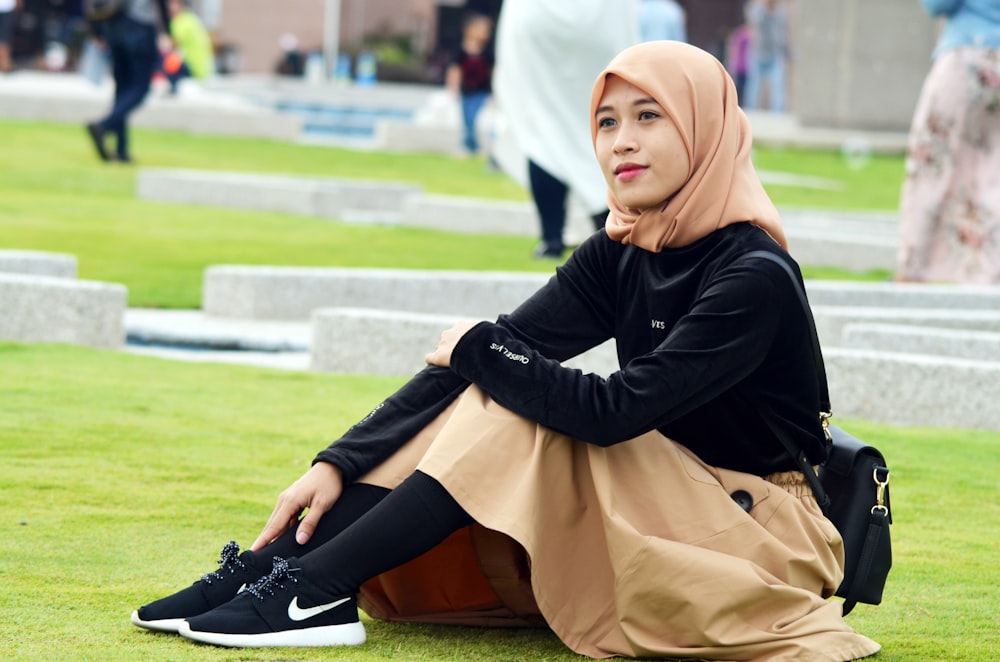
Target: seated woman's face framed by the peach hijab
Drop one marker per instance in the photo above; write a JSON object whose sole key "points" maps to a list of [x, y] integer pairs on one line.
{"points": [[640, 150]]}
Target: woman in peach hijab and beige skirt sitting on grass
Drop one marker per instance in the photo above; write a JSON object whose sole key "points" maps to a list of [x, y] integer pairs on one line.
{"points": [[614, 493]]}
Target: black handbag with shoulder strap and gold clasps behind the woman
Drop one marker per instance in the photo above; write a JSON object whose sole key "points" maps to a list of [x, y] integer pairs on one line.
{"points": [[851, 486]]}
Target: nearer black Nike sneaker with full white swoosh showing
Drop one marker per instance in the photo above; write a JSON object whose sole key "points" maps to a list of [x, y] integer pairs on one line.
{"points": [[280, 609]]}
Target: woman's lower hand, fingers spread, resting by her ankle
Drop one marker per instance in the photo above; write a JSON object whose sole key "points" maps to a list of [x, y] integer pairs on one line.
{"points": [[318, 489]]}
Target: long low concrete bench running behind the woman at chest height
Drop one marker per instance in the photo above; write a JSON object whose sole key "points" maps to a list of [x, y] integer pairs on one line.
{"points": [[262, 292]]}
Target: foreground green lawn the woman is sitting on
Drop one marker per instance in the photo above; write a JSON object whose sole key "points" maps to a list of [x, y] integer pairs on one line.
{"points": [[124, 476]]}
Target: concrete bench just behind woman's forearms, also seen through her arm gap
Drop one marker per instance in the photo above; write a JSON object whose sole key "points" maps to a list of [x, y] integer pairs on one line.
{"points": [[385, 342]]}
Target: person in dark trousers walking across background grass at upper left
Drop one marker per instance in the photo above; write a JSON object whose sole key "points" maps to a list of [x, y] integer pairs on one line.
{"points": [[130, 36]]}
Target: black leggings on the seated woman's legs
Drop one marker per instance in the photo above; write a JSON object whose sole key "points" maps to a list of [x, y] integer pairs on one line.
{"points": [[370, 530]]}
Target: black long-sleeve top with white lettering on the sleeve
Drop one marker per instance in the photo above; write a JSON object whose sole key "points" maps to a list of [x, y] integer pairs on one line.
{"points": [[709, 341]]}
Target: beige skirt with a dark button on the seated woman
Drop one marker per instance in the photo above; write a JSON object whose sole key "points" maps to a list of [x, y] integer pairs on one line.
{"points": [[634, 550]]}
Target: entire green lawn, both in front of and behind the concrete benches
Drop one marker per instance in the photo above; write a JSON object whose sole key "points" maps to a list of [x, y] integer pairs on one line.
{"points": [[124, 475]]}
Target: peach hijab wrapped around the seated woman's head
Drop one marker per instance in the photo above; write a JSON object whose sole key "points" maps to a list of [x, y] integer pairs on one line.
{"points": [[722, 186]]}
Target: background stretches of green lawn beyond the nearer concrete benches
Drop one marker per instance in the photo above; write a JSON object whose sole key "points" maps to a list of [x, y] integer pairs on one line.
{"points": [[55, 196]]}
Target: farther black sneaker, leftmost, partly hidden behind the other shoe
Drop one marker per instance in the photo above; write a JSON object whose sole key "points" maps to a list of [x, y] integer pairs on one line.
{"points": [[236, 571]]}
